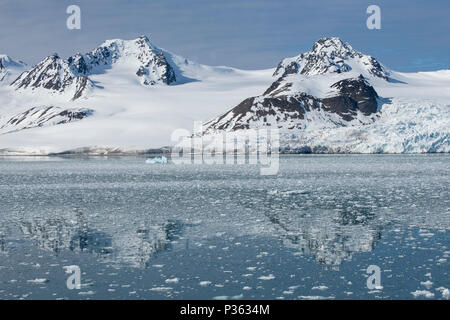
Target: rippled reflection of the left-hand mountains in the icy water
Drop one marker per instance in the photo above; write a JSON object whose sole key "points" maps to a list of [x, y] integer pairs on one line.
{"points": [[73, 233]]}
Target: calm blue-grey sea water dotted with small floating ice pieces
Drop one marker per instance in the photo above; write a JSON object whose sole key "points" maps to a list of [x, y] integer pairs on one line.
{"points": [[165, 231]]}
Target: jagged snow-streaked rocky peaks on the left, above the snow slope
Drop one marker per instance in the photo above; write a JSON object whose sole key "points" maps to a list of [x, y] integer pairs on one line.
{"points": [[134, 58]]}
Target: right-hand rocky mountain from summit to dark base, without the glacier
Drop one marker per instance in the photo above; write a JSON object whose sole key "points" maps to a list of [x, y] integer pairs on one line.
{"points": [[342, 76]]}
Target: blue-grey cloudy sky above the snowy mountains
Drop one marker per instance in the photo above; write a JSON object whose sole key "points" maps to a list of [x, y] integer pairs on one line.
{"points": [[249, 34]]}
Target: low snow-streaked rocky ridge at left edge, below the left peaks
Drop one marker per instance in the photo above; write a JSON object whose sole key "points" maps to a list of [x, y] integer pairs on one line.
{"points": [[42, 116]]}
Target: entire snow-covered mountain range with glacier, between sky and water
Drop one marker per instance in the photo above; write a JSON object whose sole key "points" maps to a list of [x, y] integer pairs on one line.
{"points": [[129, 95]]}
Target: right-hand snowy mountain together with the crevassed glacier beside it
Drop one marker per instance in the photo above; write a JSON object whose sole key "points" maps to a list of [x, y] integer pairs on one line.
{"points": [[321, 97]]}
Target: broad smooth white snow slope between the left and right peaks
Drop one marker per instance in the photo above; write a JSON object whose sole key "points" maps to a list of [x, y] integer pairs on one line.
{"points": [[127, 115]]}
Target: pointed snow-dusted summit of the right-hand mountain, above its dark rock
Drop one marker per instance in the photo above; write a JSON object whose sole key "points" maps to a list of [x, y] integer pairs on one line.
{"points": [[331, 55]]}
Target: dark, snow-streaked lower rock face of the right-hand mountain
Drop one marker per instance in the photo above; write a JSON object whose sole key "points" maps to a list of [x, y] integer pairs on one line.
{"points": [[286, 111]]}
